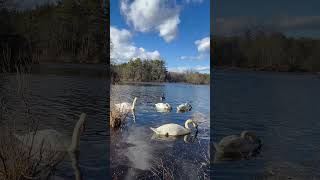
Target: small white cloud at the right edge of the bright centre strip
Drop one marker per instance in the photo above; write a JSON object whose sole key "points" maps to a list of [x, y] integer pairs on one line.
{"points": [[203, 47]]}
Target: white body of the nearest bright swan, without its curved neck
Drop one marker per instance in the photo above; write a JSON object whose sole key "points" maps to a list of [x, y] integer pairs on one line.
{"points": [[171, 130]]}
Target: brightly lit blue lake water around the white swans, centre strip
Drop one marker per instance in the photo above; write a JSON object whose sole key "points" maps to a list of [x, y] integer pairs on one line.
{"points": [[136, 154]]}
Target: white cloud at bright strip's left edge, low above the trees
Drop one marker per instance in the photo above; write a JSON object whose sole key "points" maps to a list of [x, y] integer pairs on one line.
{"points": [[123, 49]]}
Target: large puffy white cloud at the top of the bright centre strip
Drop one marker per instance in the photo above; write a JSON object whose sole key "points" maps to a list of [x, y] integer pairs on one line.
{"points": [[156, 15]]}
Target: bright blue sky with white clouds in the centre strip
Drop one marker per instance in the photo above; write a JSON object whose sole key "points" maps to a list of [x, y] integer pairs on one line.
{"points": [[176, 31]]}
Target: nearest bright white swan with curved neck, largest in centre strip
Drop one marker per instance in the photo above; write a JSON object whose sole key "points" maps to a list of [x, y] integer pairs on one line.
{"points": [[174, 129]]}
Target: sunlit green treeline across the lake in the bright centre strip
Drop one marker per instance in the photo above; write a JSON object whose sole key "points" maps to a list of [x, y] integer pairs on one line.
{"points": [[137, 70]]}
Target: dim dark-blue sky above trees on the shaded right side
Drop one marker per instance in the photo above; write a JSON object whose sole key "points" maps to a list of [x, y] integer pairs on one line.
{"points": [[292, 17]]}
